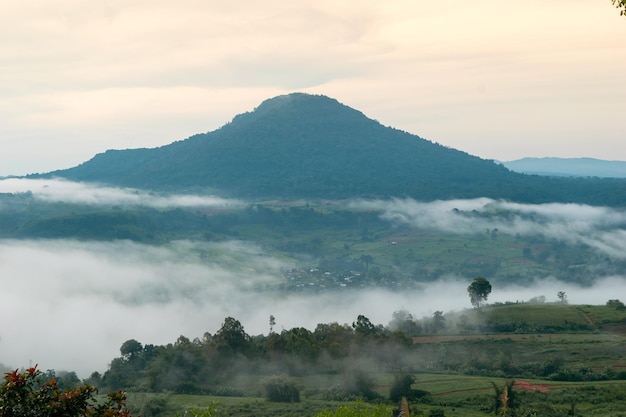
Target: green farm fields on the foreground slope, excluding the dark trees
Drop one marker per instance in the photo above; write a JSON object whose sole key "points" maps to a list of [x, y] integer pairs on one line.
{"points": [[458, 374]]}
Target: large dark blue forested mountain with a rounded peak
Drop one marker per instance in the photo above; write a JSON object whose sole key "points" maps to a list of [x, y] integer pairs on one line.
{"points": [[309, 146]]}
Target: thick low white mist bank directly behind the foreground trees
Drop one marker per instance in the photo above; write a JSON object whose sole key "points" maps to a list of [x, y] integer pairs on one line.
{"points": [[69, 305]]}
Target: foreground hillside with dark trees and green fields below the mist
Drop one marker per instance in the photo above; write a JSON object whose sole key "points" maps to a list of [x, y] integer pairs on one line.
{"points": [[554, 358]]}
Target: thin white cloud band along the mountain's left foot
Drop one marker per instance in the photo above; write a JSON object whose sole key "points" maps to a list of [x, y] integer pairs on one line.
{"points": [[57, 190]]}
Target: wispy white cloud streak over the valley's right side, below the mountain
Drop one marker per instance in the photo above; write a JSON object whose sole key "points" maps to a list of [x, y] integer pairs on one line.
{"points": [[601, 228]]}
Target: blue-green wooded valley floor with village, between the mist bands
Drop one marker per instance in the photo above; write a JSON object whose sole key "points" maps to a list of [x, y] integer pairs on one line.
{"points": [[330, 245]]}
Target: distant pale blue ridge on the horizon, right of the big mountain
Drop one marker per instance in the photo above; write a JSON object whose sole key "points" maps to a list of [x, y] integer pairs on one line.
{"points": [[569, 167]]}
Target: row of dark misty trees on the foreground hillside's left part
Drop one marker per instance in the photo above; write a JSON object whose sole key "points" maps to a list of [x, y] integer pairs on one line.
{"points": [[202, 365]]}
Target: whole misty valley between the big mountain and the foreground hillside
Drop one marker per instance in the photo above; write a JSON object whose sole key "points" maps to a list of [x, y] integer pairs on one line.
{"points": [[74, 300]]}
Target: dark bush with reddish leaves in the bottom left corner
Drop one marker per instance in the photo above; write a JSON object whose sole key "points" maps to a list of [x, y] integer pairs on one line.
{"points": [[27, 394]]}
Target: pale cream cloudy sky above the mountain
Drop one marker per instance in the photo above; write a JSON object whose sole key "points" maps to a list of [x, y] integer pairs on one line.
{"points": [[498, 79]]}
